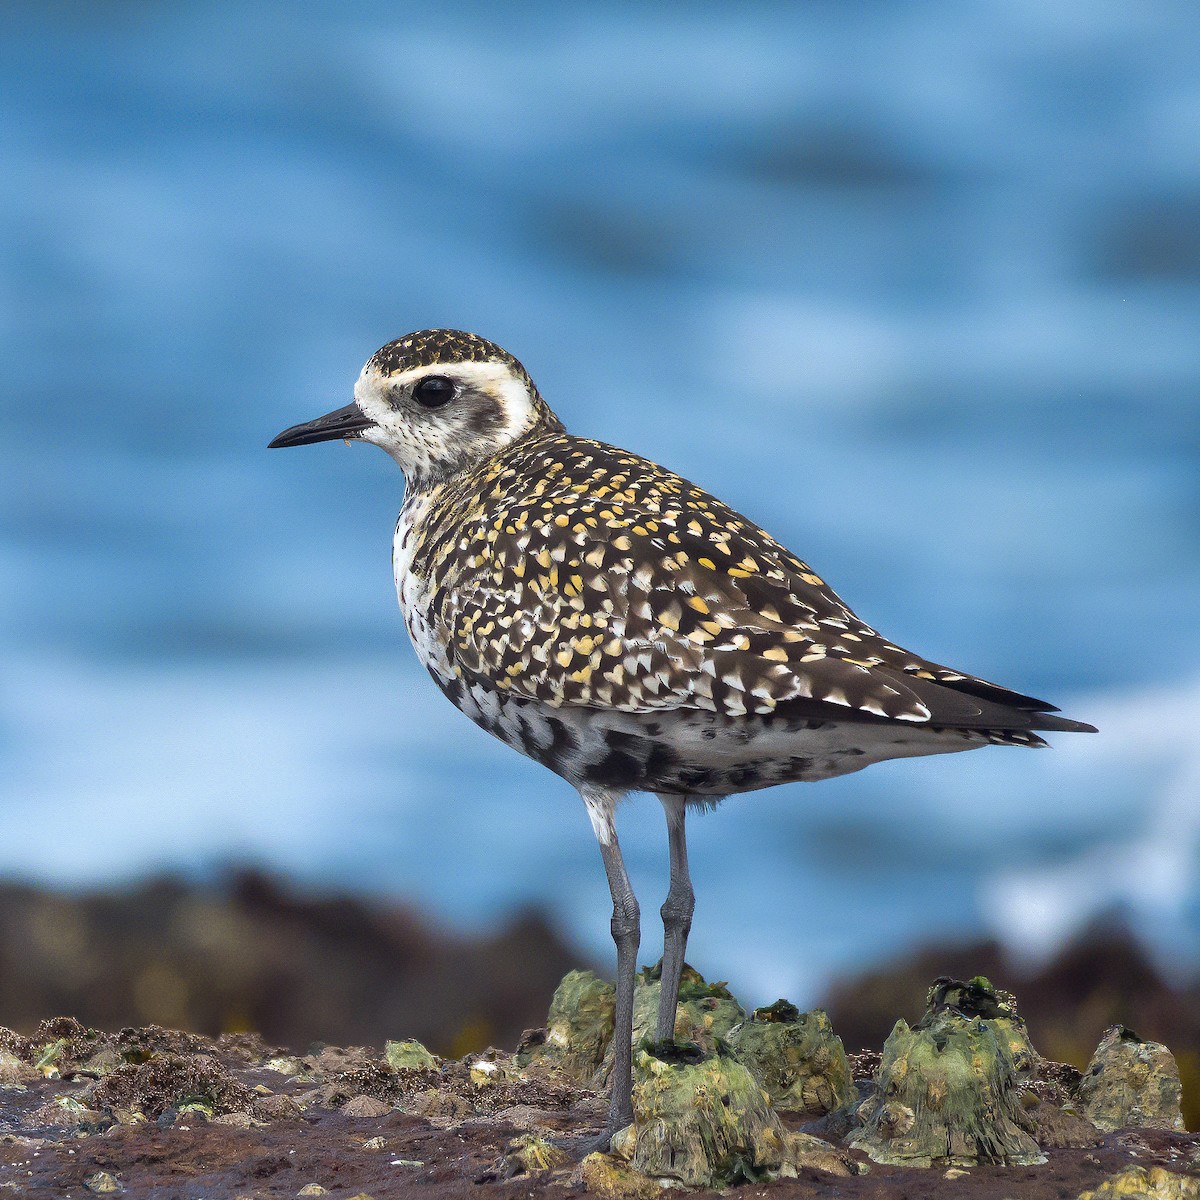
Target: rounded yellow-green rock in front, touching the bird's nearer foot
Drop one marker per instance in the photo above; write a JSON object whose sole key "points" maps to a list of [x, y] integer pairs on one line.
{"points": [[703, 1120]]}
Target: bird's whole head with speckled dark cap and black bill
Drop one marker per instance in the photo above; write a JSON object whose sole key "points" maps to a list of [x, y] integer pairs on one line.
{"points": [[437, 401]]}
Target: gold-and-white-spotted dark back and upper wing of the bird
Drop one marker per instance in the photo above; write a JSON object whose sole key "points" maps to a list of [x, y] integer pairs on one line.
{"points": [[575, 574]]}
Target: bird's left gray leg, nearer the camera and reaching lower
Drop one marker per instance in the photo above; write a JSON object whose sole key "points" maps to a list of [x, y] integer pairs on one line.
{"points": [[627, 934]]}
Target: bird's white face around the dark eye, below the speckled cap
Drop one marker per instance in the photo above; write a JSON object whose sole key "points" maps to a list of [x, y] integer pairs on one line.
{"points": [[441, 418]]}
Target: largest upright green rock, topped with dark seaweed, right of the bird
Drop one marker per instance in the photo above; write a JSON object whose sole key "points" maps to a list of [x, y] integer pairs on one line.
{"points": [[946, 1094]]}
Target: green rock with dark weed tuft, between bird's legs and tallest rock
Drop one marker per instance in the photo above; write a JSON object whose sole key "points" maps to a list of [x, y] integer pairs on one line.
{"points": [[796, 1057]]}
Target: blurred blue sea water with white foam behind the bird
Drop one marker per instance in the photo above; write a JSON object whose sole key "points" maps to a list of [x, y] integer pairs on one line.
{"points": [[916, 286]]}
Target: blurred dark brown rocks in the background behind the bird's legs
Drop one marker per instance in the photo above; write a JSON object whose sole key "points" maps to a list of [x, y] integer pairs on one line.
{"points": [[251, 953]]}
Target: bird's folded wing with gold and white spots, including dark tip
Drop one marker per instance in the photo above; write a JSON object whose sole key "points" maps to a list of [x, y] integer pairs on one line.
{"points": [[677, 607]]}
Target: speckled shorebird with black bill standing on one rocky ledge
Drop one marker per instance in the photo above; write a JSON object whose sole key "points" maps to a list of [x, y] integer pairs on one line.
{"points": [[627, 629]]}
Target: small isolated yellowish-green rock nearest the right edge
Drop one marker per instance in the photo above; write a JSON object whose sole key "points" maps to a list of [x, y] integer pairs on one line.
{"points": [[1131, 1083]]}
